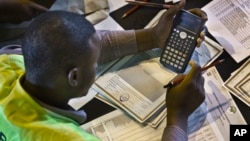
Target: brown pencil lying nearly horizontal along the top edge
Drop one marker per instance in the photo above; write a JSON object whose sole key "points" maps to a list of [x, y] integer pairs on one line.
{"points": [[150, 4]]}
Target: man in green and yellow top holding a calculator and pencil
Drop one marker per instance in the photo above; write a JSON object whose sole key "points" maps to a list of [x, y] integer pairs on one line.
{"points": [[61, 51]]}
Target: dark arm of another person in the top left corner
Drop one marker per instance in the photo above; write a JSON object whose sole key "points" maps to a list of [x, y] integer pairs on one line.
{"points": [[16, 11]]}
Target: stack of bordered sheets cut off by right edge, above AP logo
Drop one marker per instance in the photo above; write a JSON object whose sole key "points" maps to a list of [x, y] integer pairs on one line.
{"points": [[238, 84]]}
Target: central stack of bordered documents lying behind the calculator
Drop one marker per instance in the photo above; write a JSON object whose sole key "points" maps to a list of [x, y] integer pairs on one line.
{"points": [[135, 83]]}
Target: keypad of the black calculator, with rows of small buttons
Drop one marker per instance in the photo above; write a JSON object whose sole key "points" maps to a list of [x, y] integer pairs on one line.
{"points": [[178, 49]]}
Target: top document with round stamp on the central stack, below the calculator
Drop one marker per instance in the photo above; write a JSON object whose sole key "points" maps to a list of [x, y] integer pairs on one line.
{"points": [[138, 89]]}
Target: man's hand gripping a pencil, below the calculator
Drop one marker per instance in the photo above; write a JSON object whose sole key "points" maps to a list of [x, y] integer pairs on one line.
{"points": [[183, 99]]}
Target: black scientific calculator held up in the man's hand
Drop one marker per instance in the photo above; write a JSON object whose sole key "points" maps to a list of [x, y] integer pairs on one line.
{"points": [[182, 41]]}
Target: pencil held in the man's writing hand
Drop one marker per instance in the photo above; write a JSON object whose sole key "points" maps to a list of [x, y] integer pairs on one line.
{"points": [[177, 81]]}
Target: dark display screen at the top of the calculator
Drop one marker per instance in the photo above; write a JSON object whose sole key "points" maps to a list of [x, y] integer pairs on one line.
{"points": [[189, 21]]}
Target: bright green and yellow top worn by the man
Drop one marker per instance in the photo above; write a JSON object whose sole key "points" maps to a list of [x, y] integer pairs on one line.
{"points": [[22, 118]]}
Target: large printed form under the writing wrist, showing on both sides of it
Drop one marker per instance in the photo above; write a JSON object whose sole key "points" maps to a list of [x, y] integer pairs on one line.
{"points": [[209, 122]]}
